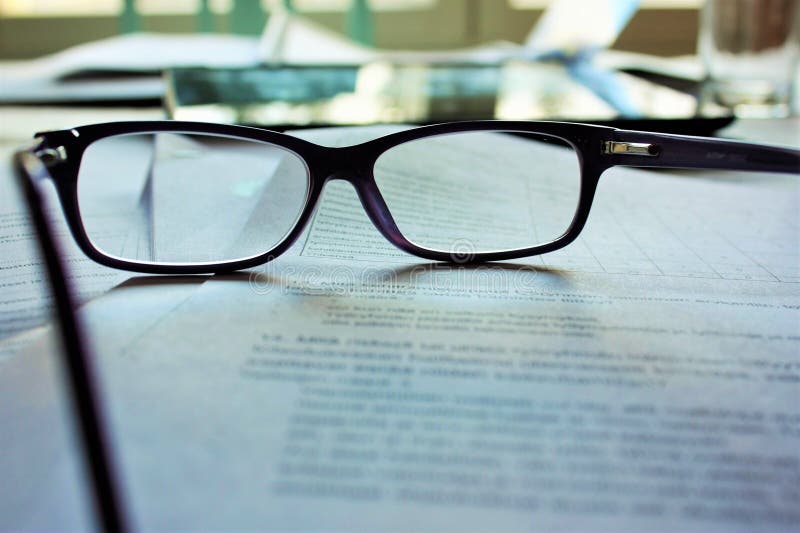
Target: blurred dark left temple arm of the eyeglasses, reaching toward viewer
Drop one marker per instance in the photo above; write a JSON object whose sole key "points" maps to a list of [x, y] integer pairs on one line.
{"points": [[30, 172]]}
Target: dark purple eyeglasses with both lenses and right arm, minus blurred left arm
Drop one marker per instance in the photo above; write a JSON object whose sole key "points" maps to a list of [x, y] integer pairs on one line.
{"points": [[181, 197]]}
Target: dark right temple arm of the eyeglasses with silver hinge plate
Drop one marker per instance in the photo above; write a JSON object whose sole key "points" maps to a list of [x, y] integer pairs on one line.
{"points": [[641, 149]]}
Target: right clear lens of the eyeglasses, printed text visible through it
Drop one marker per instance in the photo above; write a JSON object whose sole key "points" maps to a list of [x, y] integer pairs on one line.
{"points": [[449, 193]]}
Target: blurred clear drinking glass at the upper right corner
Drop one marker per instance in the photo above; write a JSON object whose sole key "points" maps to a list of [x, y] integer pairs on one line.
{"points": [[750, 51]]}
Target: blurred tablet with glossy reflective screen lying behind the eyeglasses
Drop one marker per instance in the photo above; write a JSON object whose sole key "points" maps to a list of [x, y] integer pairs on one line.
{"points": [[283, 97]]}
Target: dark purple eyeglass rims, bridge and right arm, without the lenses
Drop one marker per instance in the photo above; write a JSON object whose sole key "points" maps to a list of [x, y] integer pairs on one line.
{"points": [[598, 148]]}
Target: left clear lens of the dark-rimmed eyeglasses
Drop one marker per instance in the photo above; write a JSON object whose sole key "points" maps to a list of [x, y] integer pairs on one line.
{"points": [[188, 198]]}
